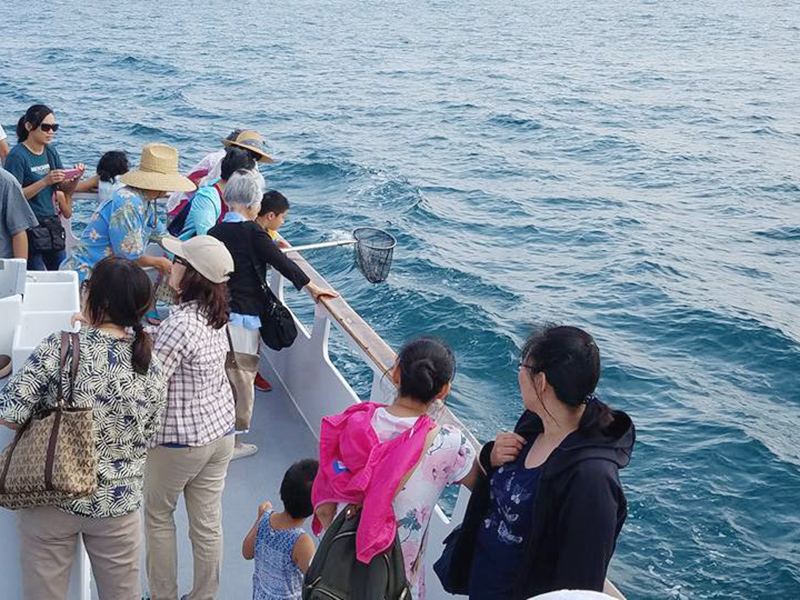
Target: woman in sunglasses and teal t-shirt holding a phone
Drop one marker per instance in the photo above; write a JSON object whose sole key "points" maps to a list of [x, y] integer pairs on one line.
{"points": [[37, 166]]}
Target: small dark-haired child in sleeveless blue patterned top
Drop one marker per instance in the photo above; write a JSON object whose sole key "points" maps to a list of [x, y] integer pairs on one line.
{"points": [[281, 548]]}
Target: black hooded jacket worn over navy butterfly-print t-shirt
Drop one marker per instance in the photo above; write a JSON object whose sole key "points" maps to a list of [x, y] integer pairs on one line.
{"points": [[578, 511]]}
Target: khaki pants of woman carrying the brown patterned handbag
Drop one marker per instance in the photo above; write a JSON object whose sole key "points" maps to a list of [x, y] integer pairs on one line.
{"points": [[48, 538]]}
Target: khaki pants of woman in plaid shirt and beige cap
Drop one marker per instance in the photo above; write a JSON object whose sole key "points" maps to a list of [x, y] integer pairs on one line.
{"points": [[198, 473]]}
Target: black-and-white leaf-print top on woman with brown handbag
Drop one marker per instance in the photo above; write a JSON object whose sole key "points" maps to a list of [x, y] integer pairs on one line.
{"points": [[127, 408]]}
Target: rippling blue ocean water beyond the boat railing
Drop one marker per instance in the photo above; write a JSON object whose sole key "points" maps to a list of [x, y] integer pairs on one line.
{"points": [[628, 167]]}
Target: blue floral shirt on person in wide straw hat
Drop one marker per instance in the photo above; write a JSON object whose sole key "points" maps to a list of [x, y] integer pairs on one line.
{"points": [[120, 226]]}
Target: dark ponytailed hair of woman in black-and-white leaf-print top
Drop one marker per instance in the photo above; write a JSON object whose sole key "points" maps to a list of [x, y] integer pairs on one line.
{"points": [[119, 291]]}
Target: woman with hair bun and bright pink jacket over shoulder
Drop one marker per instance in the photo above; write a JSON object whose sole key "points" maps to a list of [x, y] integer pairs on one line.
{"points": [[408, 441]]}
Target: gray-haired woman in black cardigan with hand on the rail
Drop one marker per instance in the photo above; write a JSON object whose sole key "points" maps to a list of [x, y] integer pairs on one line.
{"points": [[253, 251]]}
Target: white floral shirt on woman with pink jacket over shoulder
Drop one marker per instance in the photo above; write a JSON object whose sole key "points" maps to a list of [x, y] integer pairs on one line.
{"points": [[448, 461]]}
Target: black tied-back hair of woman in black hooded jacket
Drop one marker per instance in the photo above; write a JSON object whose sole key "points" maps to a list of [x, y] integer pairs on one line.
{"points": [[570, 359]]}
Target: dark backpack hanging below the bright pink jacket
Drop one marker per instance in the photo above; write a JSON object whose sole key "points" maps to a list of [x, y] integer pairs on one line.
{"points": [[336, 574]]}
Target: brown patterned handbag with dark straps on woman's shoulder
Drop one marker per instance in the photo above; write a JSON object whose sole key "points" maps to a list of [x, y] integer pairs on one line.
{"points": [[53, 457]]}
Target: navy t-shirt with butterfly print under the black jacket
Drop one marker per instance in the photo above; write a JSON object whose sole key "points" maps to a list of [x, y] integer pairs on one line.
{"points": [[505, 531]]}
